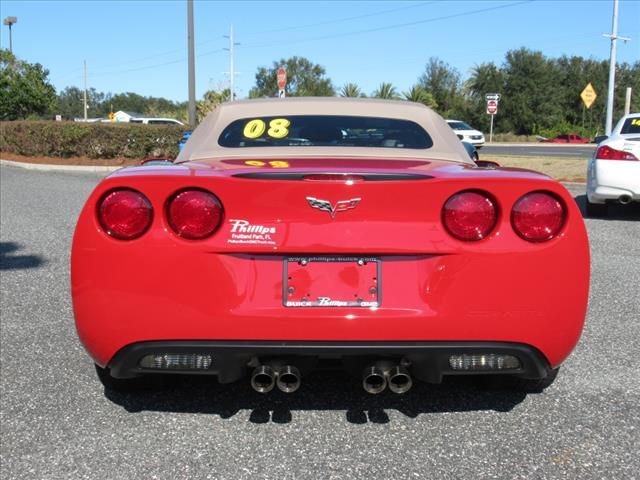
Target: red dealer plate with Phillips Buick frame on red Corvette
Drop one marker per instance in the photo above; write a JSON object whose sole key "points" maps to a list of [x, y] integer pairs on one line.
{"points": [[332, 282]]}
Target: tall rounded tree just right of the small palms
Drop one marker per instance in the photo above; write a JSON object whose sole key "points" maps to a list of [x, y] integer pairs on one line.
{"points": [[443, 83]]}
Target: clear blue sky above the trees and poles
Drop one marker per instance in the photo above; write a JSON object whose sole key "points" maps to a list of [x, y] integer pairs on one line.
{"points": [[141, 46]]}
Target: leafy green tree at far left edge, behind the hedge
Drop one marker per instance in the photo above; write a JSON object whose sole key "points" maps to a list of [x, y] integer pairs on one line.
{"points": [[24, 88]]}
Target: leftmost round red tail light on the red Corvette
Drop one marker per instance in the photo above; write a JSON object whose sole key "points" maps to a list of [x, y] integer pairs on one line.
{"points": [[125, 214]]}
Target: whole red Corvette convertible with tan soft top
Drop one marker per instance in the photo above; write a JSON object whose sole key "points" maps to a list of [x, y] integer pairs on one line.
{"points": [[292, 233]]}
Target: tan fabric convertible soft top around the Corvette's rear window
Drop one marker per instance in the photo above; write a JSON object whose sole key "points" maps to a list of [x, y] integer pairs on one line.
{"points": [[203, 143]]}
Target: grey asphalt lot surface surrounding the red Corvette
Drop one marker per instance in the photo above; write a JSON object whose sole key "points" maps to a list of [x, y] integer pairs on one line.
{"points": [[57, 421]]}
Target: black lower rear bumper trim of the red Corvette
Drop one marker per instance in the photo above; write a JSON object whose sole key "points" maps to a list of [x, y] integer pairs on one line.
{"points": [[233, 360]]}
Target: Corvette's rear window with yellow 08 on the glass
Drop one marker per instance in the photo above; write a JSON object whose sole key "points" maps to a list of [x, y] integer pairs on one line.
{"points": [[324, 131]]}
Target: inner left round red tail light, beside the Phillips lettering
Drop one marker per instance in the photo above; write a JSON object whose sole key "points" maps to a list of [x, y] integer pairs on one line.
{"points": [[194, 214]]}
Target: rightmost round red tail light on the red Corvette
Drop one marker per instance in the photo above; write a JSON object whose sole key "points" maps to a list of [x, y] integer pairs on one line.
{"points": [[538, 216]]}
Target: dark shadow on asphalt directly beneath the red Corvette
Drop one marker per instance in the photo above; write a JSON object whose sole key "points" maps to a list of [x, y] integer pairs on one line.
{"points": [[320, 391]]}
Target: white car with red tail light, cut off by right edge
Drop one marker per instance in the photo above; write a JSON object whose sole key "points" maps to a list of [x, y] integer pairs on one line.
{"points": [[613, 174]]}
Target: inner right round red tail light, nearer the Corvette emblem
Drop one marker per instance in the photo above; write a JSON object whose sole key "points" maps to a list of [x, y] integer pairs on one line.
{"points": [[469, 215]]}
